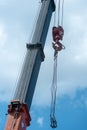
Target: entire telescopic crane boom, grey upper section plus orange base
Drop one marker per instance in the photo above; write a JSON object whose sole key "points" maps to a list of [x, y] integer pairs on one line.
{"points": [[18, 110]]}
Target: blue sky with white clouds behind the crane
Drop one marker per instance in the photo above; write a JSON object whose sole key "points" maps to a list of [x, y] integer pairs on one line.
{"points": [[16, 24]]}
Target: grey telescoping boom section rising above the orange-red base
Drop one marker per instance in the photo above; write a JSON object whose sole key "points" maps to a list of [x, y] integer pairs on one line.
{"points": [[35, 55]]}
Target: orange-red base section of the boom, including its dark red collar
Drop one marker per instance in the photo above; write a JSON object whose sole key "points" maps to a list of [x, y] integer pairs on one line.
{"points": [[18, 116]]}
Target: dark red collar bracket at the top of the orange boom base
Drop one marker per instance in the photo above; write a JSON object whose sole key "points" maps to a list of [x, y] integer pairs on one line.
{"points": [[19, 109]]}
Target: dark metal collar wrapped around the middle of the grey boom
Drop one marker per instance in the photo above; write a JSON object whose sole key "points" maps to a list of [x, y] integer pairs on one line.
{"points": [[35, 46]]}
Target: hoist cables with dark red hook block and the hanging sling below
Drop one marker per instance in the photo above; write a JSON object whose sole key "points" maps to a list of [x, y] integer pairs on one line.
{"points": [[57, 33]]}
